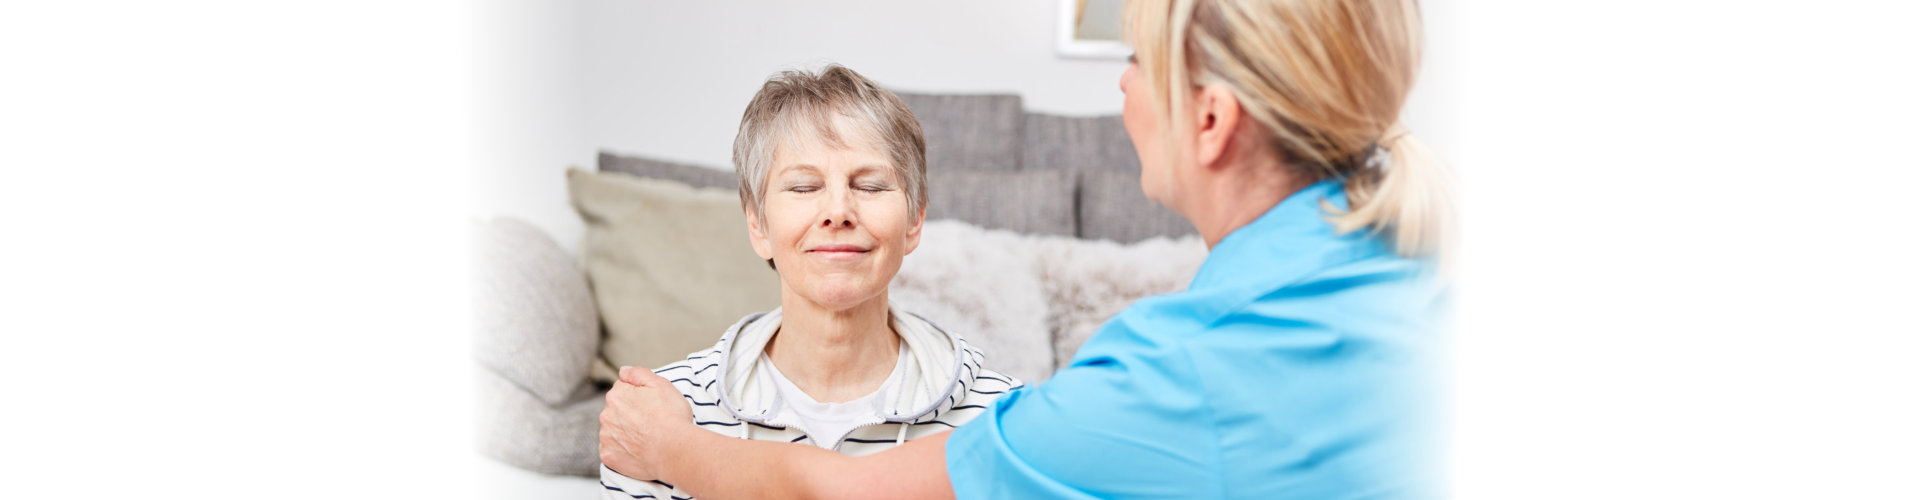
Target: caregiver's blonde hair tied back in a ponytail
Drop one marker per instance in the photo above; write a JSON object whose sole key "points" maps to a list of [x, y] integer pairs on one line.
{"points": [[1326, 80]]}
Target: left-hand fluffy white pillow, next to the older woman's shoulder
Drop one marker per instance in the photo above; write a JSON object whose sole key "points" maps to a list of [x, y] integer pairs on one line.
{"points": [[980, 284]]}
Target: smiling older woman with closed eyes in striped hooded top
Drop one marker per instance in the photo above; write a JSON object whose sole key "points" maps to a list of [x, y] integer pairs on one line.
{"points": [[832, 176]]}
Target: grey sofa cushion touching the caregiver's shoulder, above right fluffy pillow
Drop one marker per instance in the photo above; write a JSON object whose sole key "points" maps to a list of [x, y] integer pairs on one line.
{"points": [[1115, 209]]}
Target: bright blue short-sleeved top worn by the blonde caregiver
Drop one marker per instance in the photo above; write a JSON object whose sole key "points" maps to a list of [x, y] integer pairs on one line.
{"points": [[1295, 366]]}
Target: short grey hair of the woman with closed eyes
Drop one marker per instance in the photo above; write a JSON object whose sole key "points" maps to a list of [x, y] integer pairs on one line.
{"points": [[800, 101]]}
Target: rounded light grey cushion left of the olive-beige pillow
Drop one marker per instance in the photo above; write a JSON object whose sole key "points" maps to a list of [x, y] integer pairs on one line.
{"points": [[535, 318]]}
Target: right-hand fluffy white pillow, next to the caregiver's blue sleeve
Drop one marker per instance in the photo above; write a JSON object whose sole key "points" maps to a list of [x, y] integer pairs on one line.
{"points": [[1090, 282]]}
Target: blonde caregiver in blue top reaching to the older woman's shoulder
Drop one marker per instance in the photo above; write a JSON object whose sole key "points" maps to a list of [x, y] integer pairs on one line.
{"points": [[1295, 366]]}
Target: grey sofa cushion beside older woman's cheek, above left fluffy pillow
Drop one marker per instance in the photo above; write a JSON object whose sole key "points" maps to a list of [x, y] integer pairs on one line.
{"points": [[1038, 203]]}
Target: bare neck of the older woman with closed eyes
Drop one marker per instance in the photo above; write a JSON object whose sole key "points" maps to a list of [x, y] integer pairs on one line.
{"points": [[834, 357]]}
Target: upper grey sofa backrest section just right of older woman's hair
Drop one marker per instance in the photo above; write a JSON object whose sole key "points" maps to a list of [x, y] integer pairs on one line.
{"points": [[969, 132]]}
